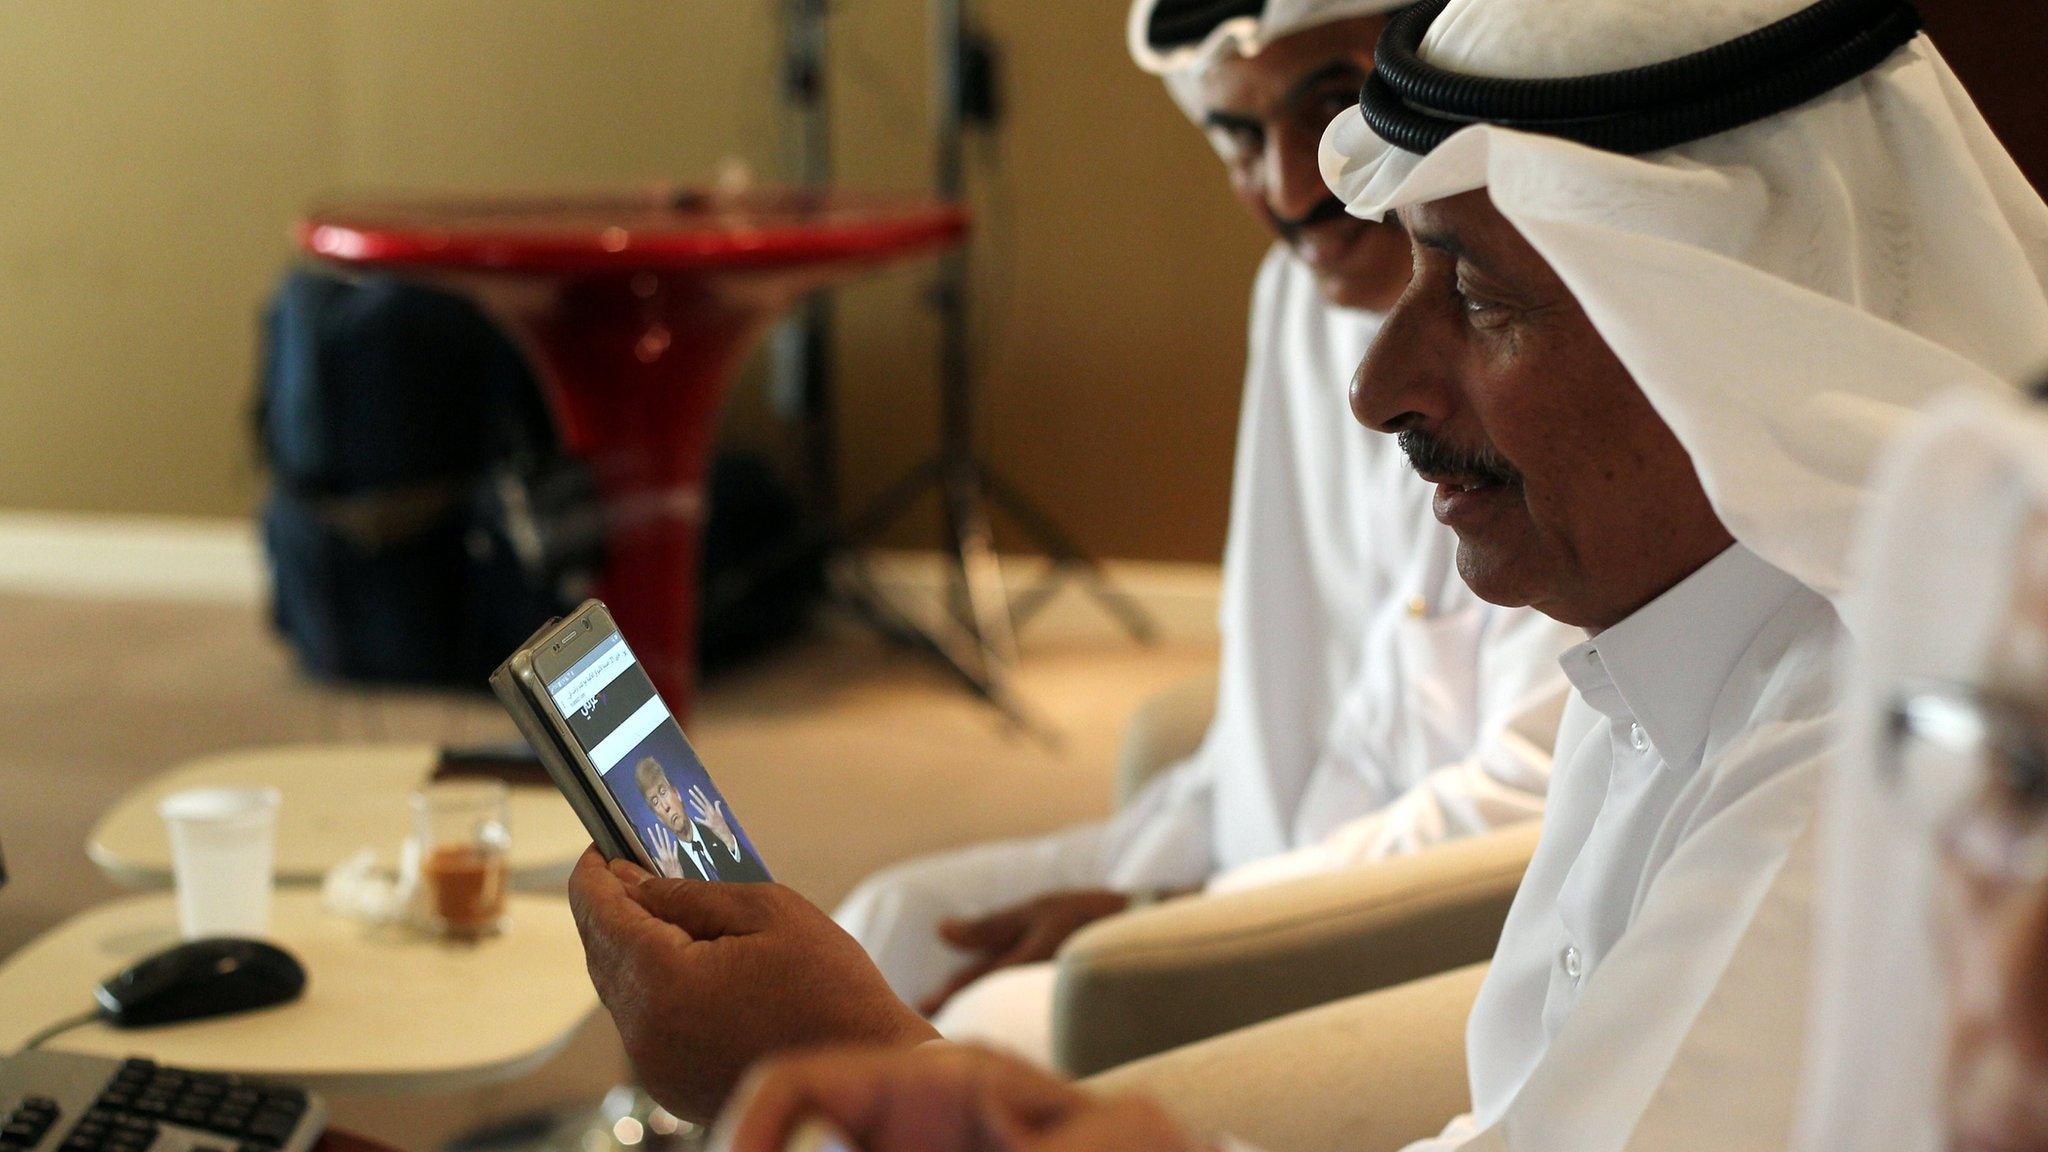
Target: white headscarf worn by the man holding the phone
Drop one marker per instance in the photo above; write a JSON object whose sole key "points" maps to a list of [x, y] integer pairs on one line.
{"points": [[1787, 292]]}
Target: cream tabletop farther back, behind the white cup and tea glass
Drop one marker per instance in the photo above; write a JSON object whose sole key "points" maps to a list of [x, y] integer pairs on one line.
{"points": [[339, 800]]}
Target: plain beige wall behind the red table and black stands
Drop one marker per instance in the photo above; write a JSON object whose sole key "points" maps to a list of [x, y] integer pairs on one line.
{"points": [[159, 153]]}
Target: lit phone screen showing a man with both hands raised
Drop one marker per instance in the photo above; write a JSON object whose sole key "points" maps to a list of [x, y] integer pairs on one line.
{"points": [[650, 770]]}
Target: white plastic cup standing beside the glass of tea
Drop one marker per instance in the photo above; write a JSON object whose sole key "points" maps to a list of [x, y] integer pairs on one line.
{"points": [[222, 850]]}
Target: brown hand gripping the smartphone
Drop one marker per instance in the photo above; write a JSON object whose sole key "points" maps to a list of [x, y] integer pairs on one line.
{"points": [[708, 979]]}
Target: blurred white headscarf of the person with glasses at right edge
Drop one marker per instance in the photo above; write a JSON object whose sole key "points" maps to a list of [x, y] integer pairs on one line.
{"points": [[1949, 536]]}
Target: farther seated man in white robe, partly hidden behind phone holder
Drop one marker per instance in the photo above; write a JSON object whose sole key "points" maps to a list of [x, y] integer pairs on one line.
{"points": [[1369, 702]]}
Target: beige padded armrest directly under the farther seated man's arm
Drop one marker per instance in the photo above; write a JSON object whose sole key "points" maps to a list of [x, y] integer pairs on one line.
{"points": [[1195, 969]]}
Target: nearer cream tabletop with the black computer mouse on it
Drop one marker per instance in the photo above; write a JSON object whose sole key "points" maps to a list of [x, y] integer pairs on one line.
{"points": [[384, 1012]]}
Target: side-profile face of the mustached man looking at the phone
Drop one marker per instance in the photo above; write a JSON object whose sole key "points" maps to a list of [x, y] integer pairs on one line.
{"points": [[1564, 485]]}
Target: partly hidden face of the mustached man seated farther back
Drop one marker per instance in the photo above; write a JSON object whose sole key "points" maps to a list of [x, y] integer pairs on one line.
{"points": [[1267, 118]]}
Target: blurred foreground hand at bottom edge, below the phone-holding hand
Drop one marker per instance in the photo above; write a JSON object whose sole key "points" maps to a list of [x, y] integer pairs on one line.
{"points": [[939, 1100]]}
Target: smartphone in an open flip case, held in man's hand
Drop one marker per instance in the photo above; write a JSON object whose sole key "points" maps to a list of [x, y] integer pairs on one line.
{"points": [[617, 755]]}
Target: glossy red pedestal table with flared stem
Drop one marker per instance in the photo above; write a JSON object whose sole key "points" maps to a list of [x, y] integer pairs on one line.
{"points": [[638, 311]]}
